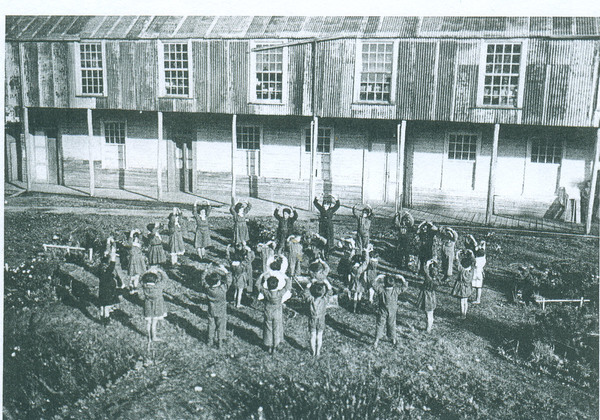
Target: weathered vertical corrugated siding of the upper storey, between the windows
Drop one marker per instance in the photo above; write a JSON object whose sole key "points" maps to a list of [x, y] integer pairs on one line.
{"points": [[437, 80]]}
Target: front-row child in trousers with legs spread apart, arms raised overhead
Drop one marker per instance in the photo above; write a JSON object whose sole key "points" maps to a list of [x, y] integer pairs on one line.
{"points": [[387, 305]]}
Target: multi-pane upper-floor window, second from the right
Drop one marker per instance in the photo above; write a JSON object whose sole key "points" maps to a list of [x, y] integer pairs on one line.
{"points": [[375, 72]]}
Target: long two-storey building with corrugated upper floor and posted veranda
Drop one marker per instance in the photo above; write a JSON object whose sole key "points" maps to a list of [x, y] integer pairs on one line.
{"points": [[491, 114]]}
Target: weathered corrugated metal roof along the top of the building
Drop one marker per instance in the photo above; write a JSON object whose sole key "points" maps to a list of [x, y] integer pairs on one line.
{"points": [[146, 27]]}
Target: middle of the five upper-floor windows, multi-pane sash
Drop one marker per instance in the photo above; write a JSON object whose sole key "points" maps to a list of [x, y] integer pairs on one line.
{"points": [[268, 68]]}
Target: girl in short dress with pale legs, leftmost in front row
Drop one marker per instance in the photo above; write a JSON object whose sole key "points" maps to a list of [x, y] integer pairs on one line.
{"points": [[153, 282]]}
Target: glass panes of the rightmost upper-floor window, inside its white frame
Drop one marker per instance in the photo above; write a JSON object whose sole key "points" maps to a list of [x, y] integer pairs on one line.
{"points": [[501, 74]]}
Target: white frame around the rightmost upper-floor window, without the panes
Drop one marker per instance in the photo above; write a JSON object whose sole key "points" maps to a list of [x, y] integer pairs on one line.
{"points": [[522, 68]]}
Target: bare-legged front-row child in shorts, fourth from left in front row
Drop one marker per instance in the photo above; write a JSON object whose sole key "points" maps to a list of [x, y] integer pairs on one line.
{"points": [[316, 295]]}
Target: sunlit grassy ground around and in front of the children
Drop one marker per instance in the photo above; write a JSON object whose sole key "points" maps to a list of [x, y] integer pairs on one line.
{"points": [[453, 372]]}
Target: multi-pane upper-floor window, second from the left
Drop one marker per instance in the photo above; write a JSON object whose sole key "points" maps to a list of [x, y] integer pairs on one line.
{"points": [[176, 69]]}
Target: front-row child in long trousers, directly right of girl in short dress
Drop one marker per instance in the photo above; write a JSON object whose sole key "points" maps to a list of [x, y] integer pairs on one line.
{"points": [[216, 283]]}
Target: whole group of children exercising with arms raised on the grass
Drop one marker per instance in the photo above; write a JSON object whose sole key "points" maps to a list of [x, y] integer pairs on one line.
{"points": [[284, 259]]}
